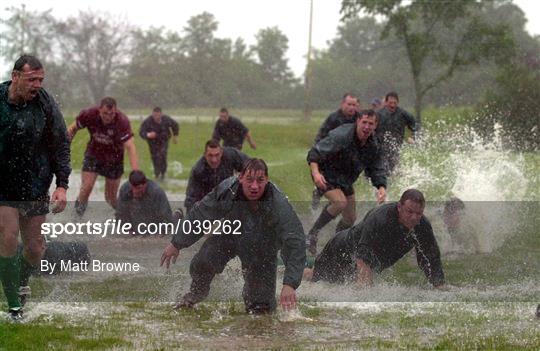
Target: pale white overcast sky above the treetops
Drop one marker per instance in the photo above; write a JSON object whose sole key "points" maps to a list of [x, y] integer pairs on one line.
{"points": [[236, 18]]}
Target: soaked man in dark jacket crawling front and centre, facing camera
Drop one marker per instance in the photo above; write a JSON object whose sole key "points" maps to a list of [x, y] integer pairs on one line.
{"points": [[256, 221]]}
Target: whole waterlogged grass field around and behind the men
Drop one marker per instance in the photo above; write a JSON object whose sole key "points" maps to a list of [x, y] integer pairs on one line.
{"points": [[489, 301]]}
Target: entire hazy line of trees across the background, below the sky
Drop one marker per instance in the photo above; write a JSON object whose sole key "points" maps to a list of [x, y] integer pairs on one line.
{"points": [[431, 52]]}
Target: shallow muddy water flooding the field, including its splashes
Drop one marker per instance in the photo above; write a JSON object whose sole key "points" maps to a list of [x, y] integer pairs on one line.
{"points": [[400, 308]]}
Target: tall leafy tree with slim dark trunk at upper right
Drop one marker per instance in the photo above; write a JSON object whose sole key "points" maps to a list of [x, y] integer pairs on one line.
{"points": [[448, 34]]}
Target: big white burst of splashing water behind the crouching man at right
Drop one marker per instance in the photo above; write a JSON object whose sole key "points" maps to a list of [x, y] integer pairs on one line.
{"points": [[484, 175]]}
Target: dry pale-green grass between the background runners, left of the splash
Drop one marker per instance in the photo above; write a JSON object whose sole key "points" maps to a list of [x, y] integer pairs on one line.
{"points": [[274, 144]]}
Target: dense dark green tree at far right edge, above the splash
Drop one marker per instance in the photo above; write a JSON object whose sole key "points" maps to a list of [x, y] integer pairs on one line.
{"points": [[513, 100]]}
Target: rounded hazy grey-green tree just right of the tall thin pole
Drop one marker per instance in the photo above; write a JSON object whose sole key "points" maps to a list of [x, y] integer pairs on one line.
{"points": [[358, 61]]}
